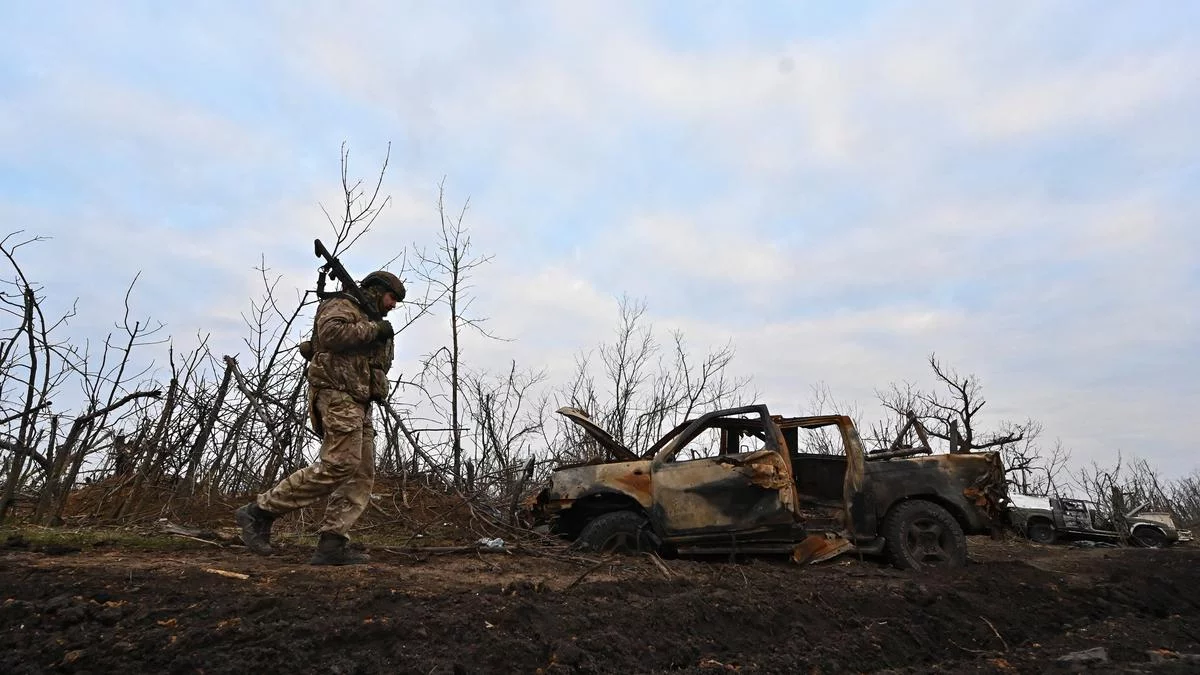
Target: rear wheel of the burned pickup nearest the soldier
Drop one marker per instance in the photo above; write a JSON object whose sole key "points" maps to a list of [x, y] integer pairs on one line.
{"points": [[922, 535]]}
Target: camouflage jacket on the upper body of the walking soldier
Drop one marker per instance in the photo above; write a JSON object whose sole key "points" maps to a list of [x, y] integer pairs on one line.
{"points": [[346, 355]]}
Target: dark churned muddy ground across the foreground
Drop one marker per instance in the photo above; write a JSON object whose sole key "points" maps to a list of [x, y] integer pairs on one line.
{"points": [[1017, 608]]}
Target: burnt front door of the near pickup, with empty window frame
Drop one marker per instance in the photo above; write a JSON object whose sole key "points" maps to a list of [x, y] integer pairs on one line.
{"points": [[704, 483]]}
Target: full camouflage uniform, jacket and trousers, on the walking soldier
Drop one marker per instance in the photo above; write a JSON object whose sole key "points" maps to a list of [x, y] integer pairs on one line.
{"points": [[349, 371]]}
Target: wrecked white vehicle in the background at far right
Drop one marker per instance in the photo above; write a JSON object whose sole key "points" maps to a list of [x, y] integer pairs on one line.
{"points": [[1049, 519]]}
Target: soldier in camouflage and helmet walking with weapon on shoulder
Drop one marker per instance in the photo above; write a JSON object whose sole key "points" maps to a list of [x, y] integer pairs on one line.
{"points": [[350, 356]]}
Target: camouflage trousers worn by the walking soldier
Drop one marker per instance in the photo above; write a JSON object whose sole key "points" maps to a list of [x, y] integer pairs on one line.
{"points": [[345, 471]]}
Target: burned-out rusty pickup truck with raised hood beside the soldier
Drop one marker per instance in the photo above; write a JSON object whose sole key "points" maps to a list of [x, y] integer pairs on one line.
{"points": [[734, 482]]}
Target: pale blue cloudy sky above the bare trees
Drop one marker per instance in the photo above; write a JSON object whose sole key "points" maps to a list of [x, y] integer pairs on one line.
{"points": [[837, 189]]}
